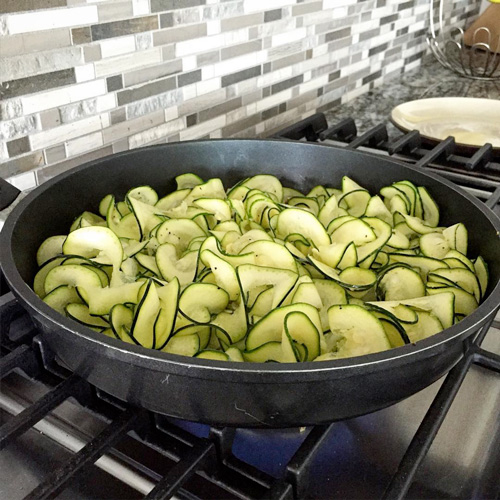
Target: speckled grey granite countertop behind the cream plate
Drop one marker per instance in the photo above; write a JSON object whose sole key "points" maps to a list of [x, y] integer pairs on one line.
{"points": [[428, 80]]}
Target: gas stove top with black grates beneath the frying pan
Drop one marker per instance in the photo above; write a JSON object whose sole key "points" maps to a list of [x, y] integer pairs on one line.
{"points": [[62, 437]]}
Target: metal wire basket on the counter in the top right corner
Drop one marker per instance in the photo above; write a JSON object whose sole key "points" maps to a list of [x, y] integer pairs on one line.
{"points": [[479, 60]]}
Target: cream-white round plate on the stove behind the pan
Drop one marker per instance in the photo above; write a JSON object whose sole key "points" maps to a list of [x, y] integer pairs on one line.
{"points": [[472, 122]]}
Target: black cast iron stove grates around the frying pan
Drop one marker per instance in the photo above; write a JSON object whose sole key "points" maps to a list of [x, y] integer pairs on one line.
{"points": [[187, 464]]}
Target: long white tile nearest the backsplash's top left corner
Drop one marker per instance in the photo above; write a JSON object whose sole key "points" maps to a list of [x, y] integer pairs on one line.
{"points": [[49, 19]]}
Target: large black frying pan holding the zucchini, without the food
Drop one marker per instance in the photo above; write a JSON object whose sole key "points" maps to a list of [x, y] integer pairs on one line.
{"points": [[242, 394]]}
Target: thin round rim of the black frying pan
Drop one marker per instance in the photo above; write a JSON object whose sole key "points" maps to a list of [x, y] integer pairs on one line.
{"points": [[197, 368]]}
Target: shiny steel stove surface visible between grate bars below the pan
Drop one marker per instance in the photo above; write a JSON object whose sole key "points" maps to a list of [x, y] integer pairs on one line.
{"points": [[359, 458]]}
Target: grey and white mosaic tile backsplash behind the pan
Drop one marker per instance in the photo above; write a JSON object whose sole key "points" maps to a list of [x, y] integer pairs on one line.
{"points": [[81, 79]]}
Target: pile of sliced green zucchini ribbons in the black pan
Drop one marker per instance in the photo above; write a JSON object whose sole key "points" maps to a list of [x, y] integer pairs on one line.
{"points": [[263, 272]]}
